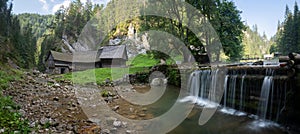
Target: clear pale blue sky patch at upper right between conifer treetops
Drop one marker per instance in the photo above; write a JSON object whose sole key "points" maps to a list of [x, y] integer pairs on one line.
{"points": [[264, 13]]}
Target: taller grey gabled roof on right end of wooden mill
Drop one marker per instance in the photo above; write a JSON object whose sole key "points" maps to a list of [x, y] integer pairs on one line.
{"points": [[113, 52]]}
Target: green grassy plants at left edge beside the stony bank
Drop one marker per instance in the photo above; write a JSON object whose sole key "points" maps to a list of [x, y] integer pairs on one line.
{"points": [[10, 119]]}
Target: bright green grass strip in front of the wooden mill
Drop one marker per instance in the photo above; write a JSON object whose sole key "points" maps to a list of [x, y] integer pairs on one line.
{"points": [[138, 64]]}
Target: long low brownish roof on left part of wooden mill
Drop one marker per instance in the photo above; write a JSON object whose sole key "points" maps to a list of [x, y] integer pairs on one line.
{"points": [[82, 57]]}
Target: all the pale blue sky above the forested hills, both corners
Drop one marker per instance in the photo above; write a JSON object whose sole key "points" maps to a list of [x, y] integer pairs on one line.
{"points": [[264, 13]]}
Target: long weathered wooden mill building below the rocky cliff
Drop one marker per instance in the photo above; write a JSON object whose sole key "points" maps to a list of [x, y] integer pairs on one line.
{"points": [[107, 56]]}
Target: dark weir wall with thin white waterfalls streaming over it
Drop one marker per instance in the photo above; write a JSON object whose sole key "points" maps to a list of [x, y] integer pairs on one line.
{"points": [[258, 91]]}
